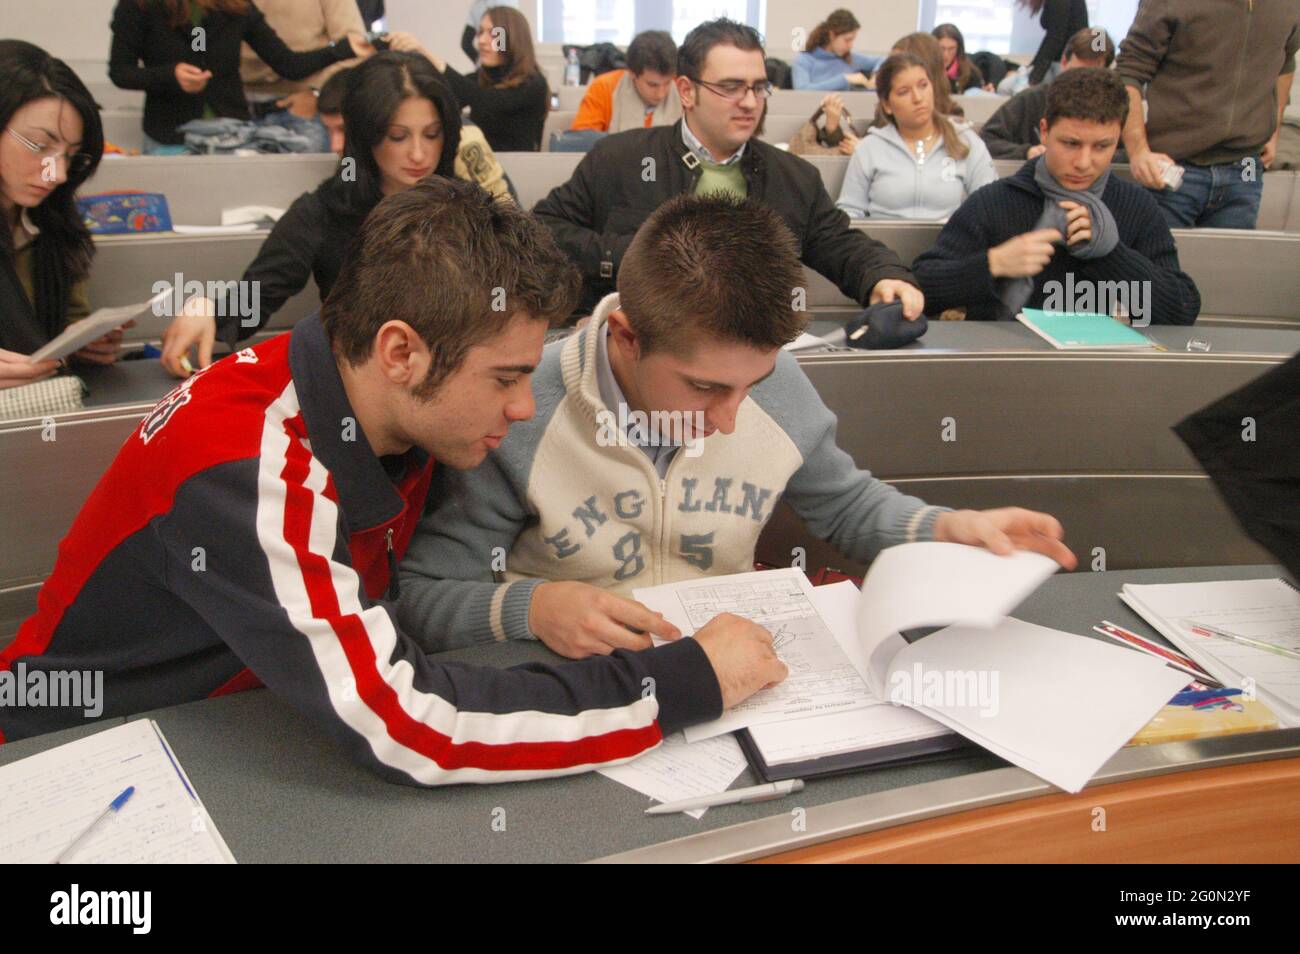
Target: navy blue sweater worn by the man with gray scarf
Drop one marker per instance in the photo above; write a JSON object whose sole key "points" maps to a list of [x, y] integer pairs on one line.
{"points": [[955, 274]]}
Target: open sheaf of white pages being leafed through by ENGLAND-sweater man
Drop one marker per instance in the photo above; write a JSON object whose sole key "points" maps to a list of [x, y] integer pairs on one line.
{"points": [[1055, 704]]}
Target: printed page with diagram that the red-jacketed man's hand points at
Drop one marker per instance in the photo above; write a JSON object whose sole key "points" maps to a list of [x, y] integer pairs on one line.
{"points": [[821, 680]]}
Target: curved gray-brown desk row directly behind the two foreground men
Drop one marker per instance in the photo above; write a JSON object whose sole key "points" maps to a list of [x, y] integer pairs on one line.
{"points": [[1082, 435]]}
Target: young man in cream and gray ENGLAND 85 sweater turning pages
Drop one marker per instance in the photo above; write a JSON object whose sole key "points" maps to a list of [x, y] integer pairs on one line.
{"points": [[665, 433]]}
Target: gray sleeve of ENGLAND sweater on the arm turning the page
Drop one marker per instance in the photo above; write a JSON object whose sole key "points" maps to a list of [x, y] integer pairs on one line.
{"points": [[840, 504]]}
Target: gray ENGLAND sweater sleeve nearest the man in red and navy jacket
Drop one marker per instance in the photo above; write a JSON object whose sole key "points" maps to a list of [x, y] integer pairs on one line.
{"points": [[450, 595]]}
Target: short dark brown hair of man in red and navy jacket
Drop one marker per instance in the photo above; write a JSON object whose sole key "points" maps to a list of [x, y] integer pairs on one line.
{"points": [[452, 263]]}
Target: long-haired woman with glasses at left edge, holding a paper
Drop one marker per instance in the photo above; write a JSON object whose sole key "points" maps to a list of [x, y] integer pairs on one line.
{"points": [[51, 142]]}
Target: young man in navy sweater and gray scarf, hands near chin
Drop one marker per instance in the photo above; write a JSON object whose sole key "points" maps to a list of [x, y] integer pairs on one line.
{"points": [[1063, 222]]}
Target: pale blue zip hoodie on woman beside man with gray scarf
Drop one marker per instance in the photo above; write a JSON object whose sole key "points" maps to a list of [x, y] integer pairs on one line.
{"points": [[886, 181]]}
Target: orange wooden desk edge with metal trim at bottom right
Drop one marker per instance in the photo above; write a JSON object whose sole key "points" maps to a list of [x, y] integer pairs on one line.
{"points": [[1227, 799]]}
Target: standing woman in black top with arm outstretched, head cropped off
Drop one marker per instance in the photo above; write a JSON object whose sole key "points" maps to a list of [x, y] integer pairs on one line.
{"points": [[188, 75]]}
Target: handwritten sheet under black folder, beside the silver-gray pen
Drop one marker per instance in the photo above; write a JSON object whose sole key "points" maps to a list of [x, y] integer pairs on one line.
{"points": [[681, 770]]}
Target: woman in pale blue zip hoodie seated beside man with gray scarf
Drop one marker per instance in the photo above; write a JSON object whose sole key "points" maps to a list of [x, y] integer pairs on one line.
{"points": [[915, 163]]}
